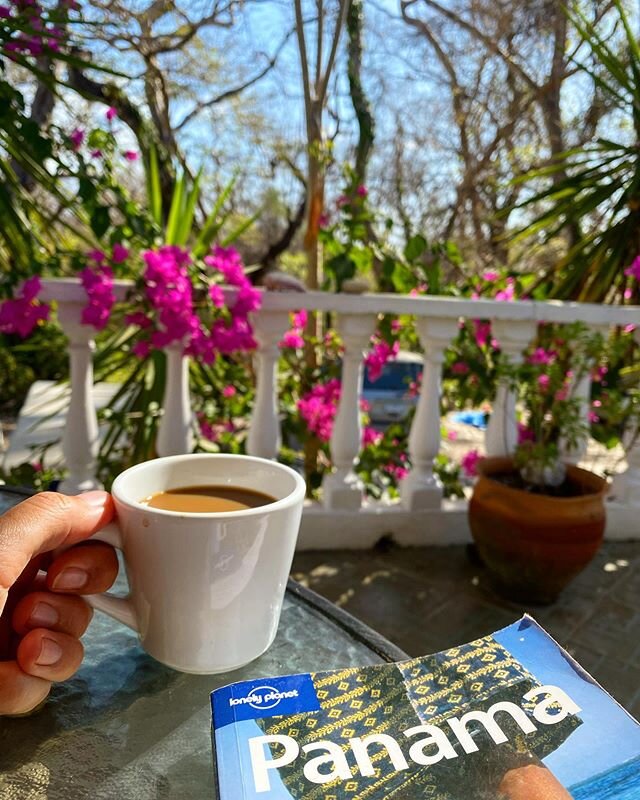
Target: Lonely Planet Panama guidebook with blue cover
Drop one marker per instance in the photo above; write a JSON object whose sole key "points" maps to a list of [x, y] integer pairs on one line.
{"points": [[508, 717]]}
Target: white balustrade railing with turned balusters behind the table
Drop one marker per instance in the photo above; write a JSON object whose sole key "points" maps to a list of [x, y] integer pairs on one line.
{"points": [[344, 518]]}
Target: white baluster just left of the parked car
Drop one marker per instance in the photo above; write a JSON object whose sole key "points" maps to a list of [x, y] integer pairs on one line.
{"points": [[342, 488]]}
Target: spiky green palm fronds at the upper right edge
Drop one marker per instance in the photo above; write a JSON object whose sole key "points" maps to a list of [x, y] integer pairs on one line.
{"points": [[594, 189]]}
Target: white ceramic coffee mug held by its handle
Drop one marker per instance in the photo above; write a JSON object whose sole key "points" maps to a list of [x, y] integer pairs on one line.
{"points": [[206, 589]]}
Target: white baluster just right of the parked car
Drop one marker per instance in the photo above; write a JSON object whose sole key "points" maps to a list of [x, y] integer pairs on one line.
{"points": [[422, 489]]}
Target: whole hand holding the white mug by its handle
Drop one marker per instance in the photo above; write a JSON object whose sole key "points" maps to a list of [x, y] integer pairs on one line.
{"points": [[42, 616]]}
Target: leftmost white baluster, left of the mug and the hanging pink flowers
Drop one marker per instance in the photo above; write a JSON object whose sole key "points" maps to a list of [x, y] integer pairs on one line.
{"points": [[80, 438]]}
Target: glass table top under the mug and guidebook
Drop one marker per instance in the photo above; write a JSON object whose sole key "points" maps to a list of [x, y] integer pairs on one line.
{"points": [[127, 727]]}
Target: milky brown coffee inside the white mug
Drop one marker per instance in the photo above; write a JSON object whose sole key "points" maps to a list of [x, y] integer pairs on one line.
{"points": [[207, 499]]}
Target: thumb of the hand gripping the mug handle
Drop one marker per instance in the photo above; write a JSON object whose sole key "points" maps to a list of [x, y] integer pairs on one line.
{"points": [[44, 522]]}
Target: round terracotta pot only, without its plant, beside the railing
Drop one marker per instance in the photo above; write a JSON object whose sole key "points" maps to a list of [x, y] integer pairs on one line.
{"points": [[533, 544]]}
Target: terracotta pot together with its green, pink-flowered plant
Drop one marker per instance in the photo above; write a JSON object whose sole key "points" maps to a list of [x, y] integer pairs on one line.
{"points": [[537, 520]]}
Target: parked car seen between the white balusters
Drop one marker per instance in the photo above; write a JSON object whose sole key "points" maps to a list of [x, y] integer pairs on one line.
{"points": [[389, 397]]}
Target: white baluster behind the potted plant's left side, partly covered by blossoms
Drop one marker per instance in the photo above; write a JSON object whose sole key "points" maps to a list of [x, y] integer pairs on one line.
{"points": [[501, 436]]}
